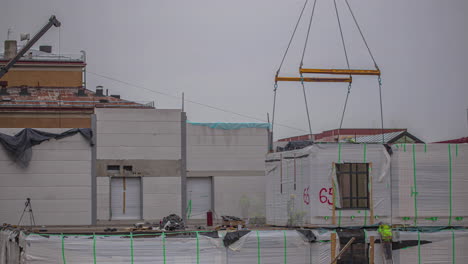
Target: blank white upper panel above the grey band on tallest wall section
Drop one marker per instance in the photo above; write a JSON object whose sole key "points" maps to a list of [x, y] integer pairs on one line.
{"points": [[138, 134]]}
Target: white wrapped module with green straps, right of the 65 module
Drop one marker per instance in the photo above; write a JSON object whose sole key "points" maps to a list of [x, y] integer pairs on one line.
{"points": [[429, 184]]}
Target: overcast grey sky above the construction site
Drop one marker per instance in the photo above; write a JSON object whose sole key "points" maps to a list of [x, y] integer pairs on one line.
{"points": [[225, 54]]}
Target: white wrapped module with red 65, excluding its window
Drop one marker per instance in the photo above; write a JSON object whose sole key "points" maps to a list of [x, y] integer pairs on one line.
{"points": [[300, 185]]}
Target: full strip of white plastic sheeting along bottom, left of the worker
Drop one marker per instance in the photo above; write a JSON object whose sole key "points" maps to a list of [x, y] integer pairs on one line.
{"points": [[266, 246]]}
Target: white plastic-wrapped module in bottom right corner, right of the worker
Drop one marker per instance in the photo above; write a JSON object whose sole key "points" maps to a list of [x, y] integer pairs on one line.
{"points": [[447, 246]]}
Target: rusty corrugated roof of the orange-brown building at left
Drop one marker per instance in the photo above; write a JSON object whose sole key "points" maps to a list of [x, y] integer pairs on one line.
{"points": [[61, 98]]}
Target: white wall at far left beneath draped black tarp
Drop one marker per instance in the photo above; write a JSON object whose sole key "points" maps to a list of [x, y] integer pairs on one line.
{"points": [[58, 181]]}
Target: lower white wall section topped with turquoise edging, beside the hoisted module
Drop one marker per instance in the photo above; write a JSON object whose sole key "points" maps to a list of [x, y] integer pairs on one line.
{"points": [[235, 159]]}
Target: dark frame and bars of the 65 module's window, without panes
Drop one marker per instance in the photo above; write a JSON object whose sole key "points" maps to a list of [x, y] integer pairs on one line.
{"points": [[353, 173]]}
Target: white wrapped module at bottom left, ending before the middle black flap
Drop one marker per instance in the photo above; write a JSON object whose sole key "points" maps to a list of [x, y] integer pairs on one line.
{"points": [[115, 249]]}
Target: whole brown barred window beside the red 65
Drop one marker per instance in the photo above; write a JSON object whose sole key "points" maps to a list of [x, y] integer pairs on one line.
{"points": [[352, 183]]}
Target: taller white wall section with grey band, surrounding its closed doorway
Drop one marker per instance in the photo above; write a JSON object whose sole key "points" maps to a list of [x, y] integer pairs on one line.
{"points": [[150, 141]]}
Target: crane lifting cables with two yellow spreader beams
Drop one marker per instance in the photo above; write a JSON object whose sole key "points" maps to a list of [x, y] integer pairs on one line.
{"points": [[348, 71]]}
